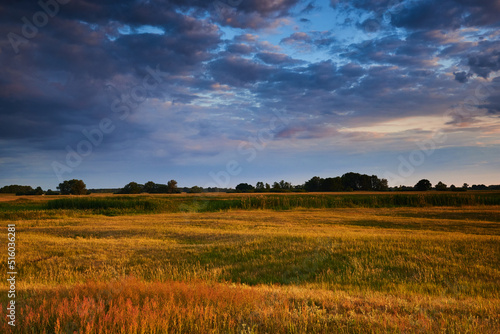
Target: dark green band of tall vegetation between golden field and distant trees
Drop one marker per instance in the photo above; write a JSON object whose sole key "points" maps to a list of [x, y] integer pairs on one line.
{"points": [[122, 205]]}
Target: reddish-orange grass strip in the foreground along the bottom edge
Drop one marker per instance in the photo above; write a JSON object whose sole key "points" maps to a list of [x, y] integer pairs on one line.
{"points": [[133, 306]]}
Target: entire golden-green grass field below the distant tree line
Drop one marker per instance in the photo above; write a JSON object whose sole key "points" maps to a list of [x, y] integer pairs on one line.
{"points": [[287, 263]]}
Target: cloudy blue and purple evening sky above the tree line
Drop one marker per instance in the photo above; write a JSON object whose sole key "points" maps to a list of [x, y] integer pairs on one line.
{"points": [[216, 93]]}
